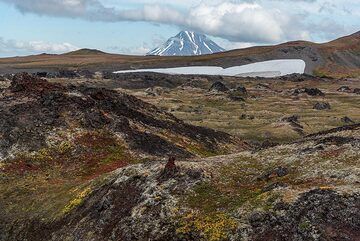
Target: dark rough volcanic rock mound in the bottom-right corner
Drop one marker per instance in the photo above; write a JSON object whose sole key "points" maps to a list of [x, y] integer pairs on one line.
{"points": [[316, 215]]}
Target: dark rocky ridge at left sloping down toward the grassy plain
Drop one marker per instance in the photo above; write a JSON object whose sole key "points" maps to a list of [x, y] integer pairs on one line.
{"points": [[31, 108]]}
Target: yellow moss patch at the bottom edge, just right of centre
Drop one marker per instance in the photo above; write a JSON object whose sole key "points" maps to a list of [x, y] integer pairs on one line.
{"points": [[216, 227]]}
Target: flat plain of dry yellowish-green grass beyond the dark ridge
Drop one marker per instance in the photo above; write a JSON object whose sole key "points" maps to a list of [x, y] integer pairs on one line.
{"points": [[199, 107]]}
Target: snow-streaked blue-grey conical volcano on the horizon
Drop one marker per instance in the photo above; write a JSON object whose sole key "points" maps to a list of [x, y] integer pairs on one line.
{"points": [[187, 43]]}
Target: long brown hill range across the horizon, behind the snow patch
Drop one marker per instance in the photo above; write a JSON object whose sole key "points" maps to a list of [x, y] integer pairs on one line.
{"points": [[340, 57]]}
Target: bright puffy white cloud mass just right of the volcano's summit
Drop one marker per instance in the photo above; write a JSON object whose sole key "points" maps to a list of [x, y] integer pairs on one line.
{"points": [[246, 22]]}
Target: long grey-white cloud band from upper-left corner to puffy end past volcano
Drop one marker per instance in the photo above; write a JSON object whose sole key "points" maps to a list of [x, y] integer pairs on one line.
{"points": [[240, 22]]}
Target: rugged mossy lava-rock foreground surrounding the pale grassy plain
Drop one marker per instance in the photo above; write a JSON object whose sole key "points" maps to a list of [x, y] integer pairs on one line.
{"points": [[79, 162]]}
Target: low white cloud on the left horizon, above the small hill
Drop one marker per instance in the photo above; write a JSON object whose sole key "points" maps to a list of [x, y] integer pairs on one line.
{"points": [[26, 47]]}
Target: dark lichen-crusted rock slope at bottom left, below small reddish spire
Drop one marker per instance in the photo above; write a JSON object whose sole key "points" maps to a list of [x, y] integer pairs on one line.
{"points": [[133, 205]]}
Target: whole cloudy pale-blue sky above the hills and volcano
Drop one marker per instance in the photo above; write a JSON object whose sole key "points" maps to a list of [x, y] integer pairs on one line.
{"points": [[137, 26]]}
